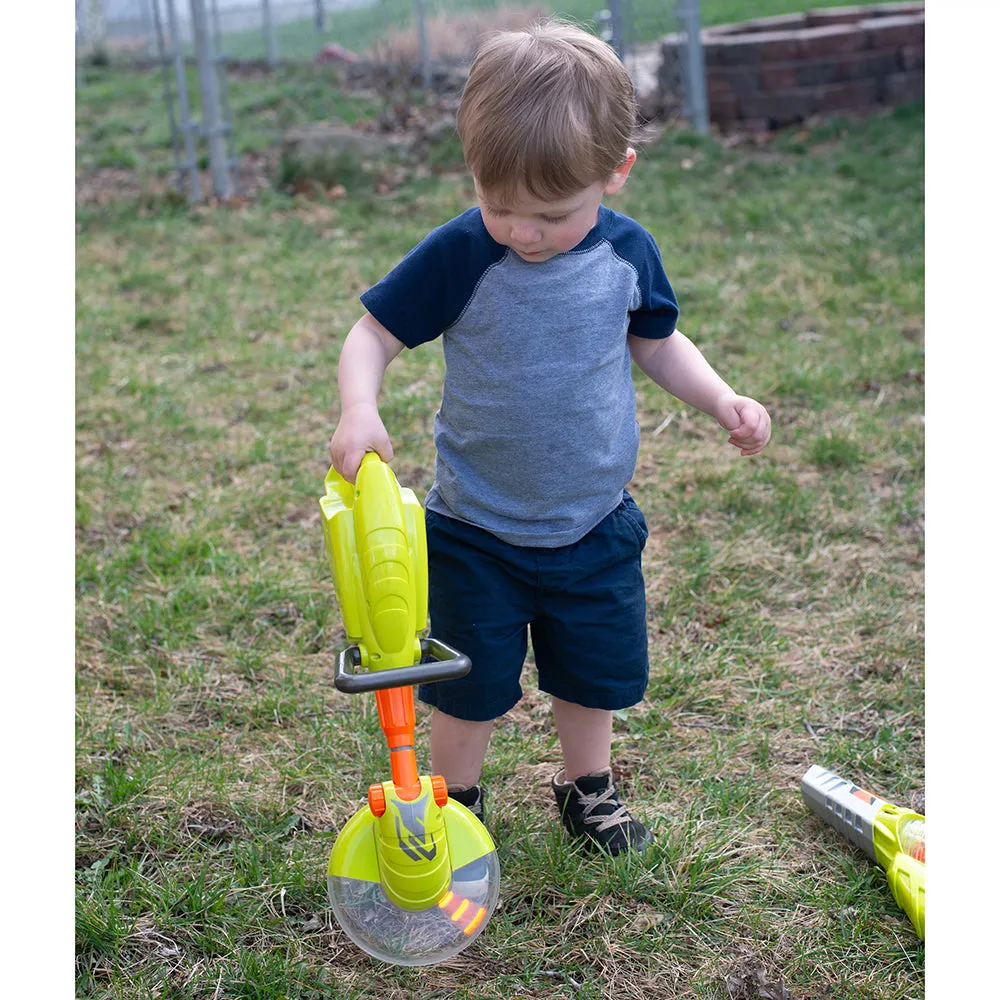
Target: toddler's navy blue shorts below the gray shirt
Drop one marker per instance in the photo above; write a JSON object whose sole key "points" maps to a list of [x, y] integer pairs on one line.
{"points": [[584, 606]]}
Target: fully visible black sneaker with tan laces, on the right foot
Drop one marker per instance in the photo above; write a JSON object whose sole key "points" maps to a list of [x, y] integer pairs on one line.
{"points": [[590, 808]]}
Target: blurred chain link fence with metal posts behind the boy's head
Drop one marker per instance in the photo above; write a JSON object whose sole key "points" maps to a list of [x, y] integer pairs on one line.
{"points": [[424, 42]]}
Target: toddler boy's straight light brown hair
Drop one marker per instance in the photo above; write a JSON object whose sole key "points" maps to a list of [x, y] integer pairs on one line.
{"points": [[550, 109]]}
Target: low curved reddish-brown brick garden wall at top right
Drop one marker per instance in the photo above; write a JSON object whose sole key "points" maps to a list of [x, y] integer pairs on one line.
{"points": [[777, 71]]}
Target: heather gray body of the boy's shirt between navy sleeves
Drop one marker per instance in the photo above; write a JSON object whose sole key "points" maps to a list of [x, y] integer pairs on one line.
{"points": [[536, 435]]}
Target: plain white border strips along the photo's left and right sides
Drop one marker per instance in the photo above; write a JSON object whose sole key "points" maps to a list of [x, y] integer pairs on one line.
{"points": [[963, 498]]}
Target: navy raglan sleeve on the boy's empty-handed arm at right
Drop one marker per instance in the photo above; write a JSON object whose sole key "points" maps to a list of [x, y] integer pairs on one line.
{"points": [[655, 313]]}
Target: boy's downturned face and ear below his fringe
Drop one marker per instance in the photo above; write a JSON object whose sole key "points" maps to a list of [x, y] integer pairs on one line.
{"points": [[538, 230]]}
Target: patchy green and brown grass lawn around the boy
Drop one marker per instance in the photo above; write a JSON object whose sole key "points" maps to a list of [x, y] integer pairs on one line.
{"points": [[215, 760]]}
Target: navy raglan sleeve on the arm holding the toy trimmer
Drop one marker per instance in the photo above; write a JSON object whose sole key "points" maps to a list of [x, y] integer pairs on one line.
{"points": [[428, 289]]}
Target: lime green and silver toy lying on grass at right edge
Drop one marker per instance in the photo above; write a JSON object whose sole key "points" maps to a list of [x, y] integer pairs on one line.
{"points": [[892, 837]]}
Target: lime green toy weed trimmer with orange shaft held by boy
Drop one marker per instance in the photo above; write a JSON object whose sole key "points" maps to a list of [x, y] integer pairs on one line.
{"points": [[413, 876]]}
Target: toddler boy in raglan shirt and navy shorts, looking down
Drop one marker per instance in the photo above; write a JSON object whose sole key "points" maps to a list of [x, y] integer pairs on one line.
{"points": [[543, 298]]}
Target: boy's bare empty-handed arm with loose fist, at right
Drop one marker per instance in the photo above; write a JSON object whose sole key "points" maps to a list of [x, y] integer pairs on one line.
{"points": [[676, 365]]}
